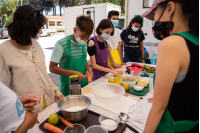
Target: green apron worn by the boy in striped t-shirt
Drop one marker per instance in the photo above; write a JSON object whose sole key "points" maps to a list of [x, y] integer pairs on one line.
{"points": [[76, 64]]}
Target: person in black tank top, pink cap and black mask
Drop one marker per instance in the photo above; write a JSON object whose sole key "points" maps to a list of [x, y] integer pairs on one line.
{"points": [[175, 104]]}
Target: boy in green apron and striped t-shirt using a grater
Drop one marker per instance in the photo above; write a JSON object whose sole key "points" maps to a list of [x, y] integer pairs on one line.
{"points": [[70, 53]]}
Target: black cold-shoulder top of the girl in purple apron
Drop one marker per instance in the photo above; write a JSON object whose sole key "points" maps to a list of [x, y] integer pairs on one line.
{"points": [[92, 50]]}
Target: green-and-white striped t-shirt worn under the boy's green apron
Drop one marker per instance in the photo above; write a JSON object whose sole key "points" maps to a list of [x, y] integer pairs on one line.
{"points": [[59, 54]]}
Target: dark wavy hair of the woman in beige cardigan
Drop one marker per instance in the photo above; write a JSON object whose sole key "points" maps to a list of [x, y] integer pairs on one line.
{"points": [[26, 23]]}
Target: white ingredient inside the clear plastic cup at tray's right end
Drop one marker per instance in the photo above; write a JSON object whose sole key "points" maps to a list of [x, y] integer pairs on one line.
{"points": [[109, 122]]}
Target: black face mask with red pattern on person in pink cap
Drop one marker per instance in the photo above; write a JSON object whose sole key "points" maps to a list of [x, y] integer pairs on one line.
{"points": [[162, 29]]}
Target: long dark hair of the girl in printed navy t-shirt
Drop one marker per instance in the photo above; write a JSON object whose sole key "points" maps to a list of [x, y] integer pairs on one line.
{"points": [[137, 19]]}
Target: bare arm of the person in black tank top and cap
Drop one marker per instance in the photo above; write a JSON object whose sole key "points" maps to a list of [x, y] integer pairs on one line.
{"points": [[168, 53]]}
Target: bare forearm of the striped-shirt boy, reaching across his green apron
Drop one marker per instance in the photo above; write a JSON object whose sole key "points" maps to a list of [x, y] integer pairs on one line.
{"points": [[53, 67]]}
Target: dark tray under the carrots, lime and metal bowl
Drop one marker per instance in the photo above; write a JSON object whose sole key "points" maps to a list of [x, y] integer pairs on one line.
{"points": [[91, 119]]}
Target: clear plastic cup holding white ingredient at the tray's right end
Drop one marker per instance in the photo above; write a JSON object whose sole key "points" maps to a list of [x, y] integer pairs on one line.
{"points": [[109, 121]]}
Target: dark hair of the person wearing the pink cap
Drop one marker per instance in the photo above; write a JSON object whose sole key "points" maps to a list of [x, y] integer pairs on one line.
{"points": [[191, 8]]}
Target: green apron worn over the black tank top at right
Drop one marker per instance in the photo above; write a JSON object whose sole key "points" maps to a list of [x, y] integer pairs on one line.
{"points": [[167, 124]]}
